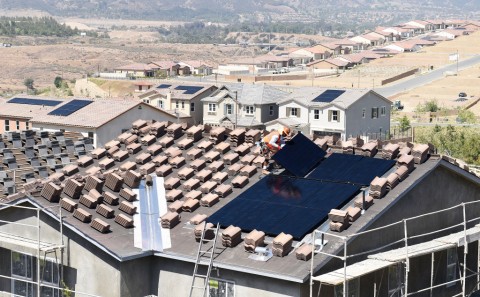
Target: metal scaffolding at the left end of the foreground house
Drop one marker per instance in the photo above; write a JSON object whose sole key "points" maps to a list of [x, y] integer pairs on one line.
{"points": [[42, 248]]}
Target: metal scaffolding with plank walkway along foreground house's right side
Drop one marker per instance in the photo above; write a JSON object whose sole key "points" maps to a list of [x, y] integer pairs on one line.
{"points": [[400, 251]]}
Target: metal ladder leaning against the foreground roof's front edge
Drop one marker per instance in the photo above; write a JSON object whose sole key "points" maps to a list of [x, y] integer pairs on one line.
{"points": [[210, 252]]}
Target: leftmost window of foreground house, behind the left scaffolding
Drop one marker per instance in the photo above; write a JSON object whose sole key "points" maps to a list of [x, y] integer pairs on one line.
{"points": [[22, 268]]}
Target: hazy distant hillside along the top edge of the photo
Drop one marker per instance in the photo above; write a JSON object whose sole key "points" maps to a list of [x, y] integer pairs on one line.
{"points": [[261, 10]]}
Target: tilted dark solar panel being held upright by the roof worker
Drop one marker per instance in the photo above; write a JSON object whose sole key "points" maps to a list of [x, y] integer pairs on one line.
{"points": [[299, 155]]}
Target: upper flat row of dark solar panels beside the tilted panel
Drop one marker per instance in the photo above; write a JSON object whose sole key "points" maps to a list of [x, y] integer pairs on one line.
{"points": [[351, 168]]}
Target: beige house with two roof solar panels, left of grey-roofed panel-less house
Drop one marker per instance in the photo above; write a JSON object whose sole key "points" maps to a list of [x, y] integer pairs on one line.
{"points": [[183, 100]]}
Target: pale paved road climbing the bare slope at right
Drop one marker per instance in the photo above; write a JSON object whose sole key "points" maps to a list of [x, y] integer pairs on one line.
{"points": [[418, 81]]}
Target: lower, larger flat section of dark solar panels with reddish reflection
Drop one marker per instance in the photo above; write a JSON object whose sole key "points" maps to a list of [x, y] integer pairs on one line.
{"points": [[284, 204]]}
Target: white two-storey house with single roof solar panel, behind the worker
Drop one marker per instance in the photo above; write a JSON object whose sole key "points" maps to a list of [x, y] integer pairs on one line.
{"points": [[344, 113]]}
